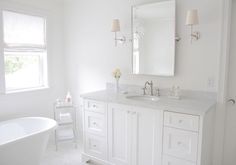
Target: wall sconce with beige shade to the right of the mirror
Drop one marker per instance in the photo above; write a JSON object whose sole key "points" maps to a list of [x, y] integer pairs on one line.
{"points": [[191, 20]]}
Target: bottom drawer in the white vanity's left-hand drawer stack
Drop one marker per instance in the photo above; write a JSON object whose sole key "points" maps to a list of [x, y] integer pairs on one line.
{"points": [[96, 146]]}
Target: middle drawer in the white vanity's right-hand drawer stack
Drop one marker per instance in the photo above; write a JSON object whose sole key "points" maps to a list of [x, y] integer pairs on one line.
{"points": [[180, 143]]}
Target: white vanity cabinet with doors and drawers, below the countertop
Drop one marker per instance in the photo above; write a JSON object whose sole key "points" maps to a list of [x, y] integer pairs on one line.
{"points": [[123, 134]]}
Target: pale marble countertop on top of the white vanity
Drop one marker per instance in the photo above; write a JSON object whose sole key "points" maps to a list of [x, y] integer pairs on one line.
{"points": [[188, 105]]}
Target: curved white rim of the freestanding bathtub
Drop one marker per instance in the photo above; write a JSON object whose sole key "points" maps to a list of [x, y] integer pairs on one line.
{"points": [[52, 126]]}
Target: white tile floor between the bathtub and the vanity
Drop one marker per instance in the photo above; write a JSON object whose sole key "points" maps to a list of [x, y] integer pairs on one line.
{"points": [[66, 155]]}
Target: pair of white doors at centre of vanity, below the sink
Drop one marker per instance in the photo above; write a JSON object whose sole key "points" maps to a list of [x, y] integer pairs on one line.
{"points": [[135, 135]]}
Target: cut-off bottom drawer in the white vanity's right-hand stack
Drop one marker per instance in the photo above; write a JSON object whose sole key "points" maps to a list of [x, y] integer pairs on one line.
{"points": [[168, 160]]}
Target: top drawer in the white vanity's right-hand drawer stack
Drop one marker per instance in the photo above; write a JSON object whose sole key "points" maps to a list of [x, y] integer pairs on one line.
{"points": [[182, 121]]}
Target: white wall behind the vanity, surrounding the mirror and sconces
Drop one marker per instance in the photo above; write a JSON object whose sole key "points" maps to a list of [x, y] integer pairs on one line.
{"points": [[91, 55]]}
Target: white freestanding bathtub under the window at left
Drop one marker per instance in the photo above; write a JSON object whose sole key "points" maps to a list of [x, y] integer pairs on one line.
{"points": [[24, 140]]}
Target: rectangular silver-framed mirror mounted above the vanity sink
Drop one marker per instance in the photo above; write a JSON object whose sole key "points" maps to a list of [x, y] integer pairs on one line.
{"points": [[153, 31]]}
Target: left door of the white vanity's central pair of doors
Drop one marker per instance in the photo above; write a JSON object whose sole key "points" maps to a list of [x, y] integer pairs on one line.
{"points": [[119, 134]]}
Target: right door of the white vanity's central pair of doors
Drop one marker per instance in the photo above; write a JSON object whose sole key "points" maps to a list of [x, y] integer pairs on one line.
{"points": [[149, 125]]}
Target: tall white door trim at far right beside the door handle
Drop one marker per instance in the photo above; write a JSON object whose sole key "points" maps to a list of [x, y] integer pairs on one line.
{"points": [[218, 157]]}
